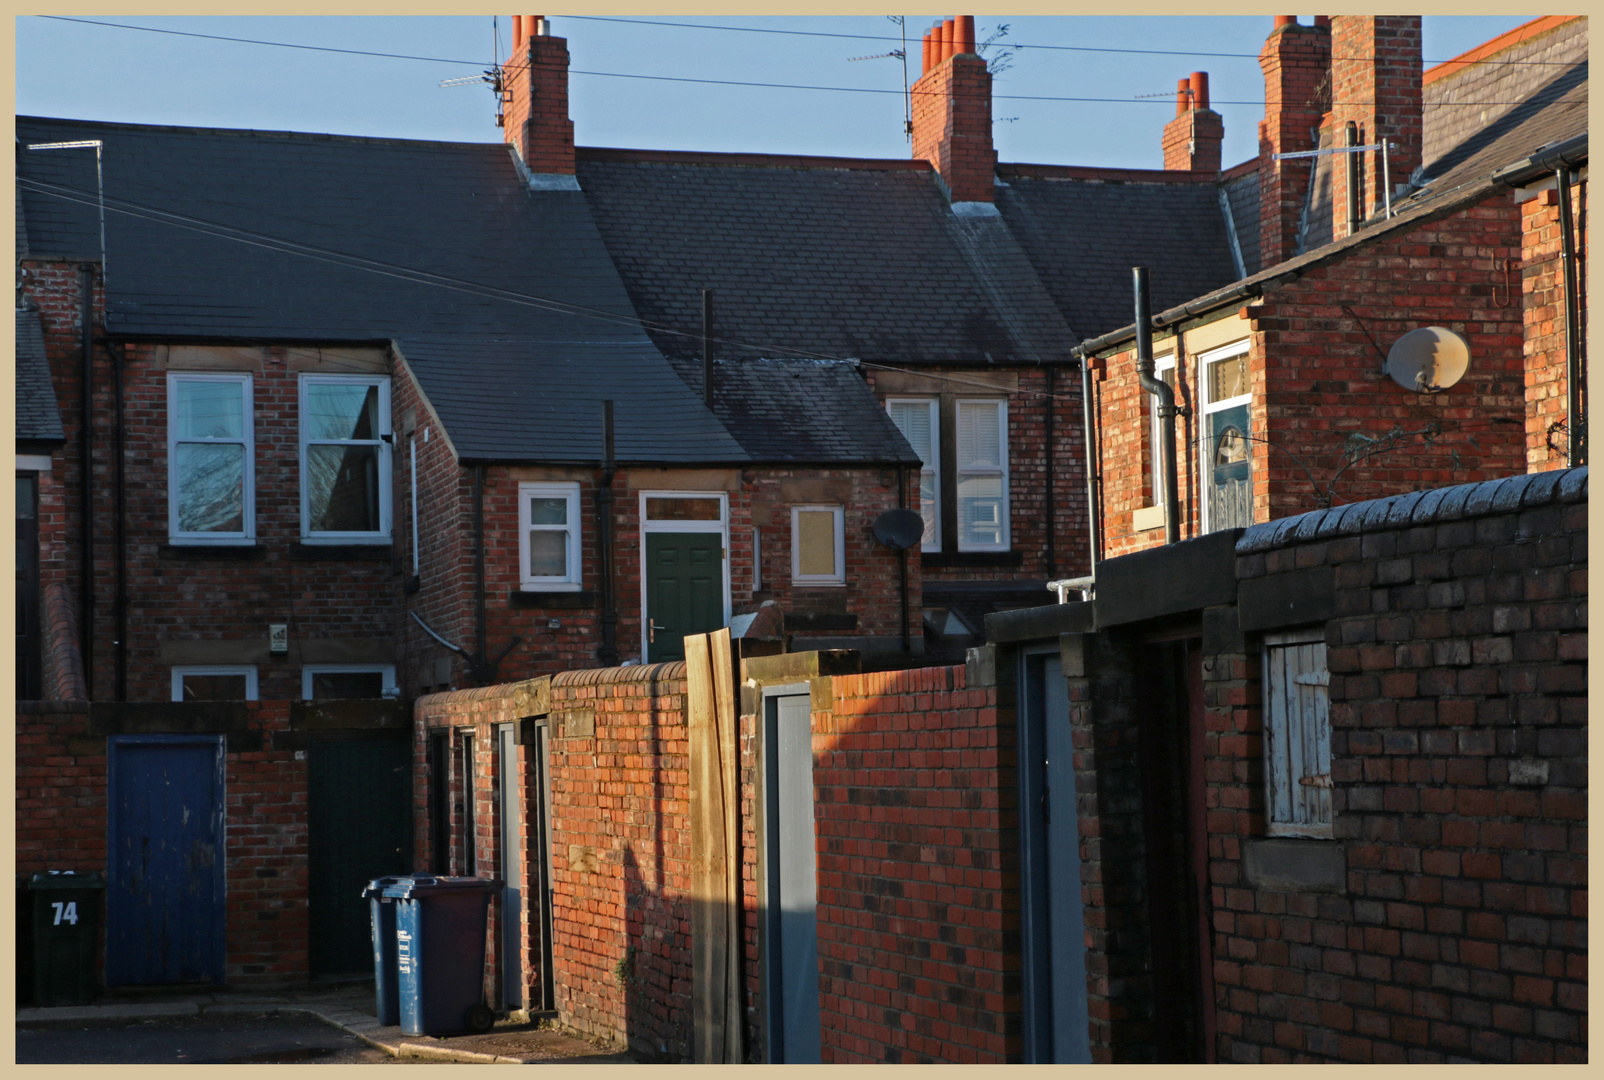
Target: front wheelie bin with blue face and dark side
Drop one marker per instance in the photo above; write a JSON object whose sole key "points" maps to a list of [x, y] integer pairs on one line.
{"points": [[440, 954]]}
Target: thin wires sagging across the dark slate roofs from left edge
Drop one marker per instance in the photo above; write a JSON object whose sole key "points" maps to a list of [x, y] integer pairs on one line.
{"points": [[445, 282]]}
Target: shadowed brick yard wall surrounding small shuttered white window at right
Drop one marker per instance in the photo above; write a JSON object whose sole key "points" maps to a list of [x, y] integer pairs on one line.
{"points": [[1459, 760]]}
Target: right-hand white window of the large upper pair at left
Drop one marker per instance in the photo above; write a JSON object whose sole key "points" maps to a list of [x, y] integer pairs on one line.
{"points": [[346, 460]]}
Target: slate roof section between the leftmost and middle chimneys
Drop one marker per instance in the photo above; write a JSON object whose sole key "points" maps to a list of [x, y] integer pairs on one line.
{"points": [[817, 261]]}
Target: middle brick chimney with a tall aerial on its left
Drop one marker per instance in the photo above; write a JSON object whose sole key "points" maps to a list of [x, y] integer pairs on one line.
{"points": [[952, 113]]}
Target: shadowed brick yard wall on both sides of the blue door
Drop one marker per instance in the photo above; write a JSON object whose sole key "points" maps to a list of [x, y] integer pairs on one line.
{"points": [[62, 806]]}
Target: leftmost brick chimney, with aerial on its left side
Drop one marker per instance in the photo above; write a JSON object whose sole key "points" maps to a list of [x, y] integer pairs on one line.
{"points": [[535, 99]]}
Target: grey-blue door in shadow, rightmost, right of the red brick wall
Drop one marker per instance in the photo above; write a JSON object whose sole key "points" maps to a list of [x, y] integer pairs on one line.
{"points": [[1056, 1013]]}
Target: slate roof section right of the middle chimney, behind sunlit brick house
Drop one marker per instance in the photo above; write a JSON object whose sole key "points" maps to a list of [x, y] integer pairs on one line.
{"points": [[1085, 237]]}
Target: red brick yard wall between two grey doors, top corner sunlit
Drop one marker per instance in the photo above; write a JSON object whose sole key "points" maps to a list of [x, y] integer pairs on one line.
{"points": [[915, 871]]}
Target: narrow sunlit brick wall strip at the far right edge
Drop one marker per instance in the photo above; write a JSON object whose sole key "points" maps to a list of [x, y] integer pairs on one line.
{"points": [[1544, 294]]}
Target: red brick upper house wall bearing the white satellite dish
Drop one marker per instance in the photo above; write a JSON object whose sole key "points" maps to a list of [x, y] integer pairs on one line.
{"points": [[1316, 381]]}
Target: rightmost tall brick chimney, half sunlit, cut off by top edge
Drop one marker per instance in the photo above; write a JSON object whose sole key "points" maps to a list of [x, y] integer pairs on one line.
{"points": [[1375, 95]]}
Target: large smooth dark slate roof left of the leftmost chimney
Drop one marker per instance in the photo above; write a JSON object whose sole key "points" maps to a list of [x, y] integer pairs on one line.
{"points": [[485, 286]]}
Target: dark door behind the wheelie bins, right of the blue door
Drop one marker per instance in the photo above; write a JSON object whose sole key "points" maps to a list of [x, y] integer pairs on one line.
{"points": [[360, 827]]}
